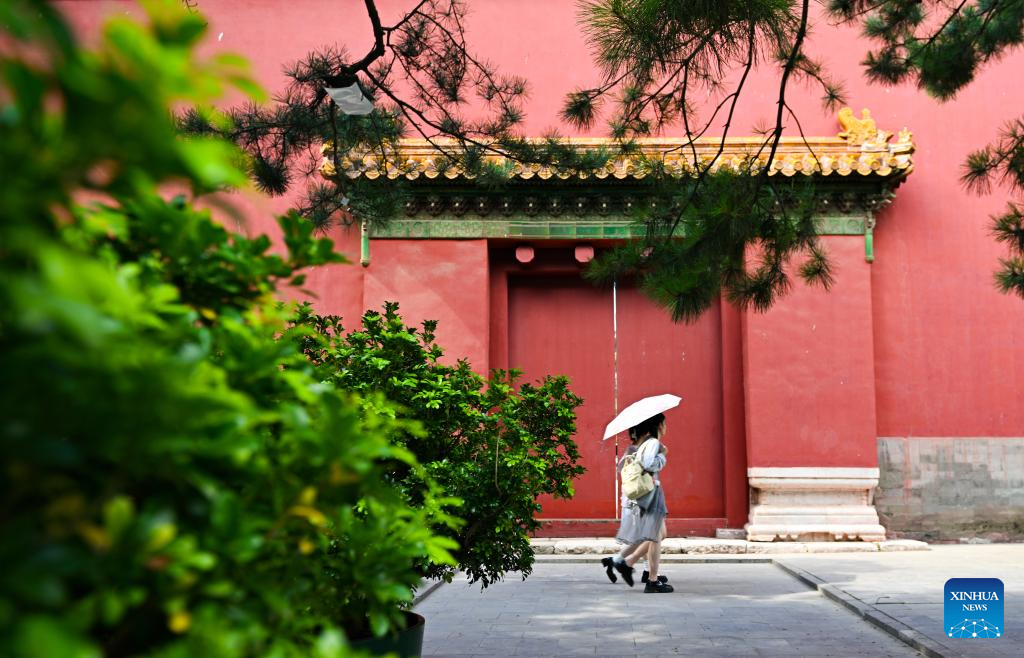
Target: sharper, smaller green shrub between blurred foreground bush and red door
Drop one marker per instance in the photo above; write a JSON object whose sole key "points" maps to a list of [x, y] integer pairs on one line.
{"points": [[493, 445]]}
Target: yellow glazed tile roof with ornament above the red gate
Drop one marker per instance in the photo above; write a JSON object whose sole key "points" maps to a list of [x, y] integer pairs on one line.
{"points": [[860, 150]]}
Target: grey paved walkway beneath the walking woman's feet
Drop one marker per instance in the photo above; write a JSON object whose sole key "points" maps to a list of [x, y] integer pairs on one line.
{"points": [[752, 609]]}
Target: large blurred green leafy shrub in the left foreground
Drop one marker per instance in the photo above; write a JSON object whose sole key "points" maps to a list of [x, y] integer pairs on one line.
{"points": [[178, 478]]}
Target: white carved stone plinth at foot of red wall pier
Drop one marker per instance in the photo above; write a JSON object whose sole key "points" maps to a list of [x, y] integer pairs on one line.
{"points": [[814, 505]]}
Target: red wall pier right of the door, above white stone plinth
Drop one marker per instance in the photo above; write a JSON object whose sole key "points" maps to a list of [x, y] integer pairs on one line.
{"points": [[809, 373]]}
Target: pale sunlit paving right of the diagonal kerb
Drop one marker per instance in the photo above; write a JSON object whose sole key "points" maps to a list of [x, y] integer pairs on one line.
{"points": [[910, 587]]}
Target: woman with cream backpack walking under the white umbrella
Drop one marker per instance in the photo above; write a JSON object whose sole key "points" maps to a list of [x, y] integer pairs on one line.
{"points": [[643, 529]]}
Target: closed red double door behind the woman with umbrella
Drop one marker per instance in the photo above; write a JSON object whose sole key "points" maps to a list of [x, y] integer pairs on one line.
{"points": [[617, 347]]}
